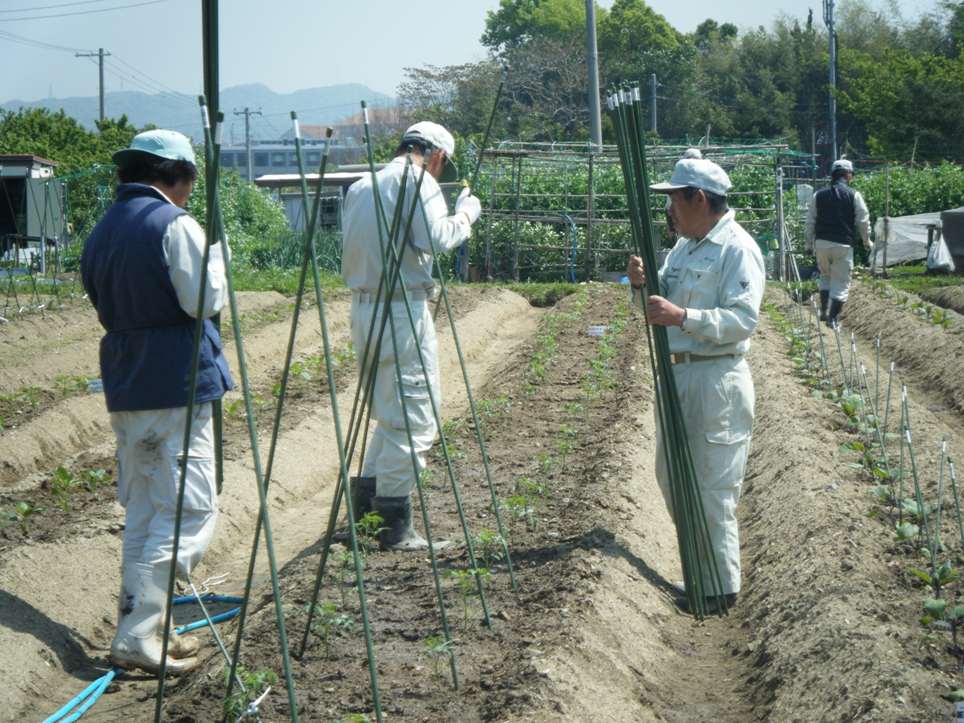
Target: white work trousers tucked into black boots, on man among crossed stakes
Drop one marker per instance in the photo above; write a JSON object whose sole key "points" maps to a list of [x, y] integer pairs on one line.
{"points": [[389, 455]]}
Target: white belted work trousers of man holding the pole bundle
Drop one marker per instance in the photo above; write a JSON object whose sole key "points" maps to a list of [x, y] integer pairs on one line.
{"points": [[717, 401]]}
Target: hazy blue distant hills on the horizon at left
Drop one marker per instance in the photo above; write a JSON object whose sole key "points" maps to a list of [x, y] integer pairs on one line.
{"points": [[315, 106]]}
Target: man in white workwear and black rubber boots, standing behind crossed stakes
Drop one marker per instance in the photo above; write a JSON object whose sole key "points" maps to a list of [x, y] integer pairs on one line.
{"points": [[389, 475]]}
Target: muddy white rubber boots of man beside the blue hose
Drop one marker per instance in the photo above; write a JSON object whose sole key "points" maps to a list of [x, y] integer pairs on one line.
{"points": [[140, 621]]}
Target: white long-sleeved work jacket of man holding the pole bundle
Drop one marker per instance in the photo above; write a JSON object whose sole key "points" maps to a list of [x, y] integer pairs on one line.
{"points": [[719, 281]]}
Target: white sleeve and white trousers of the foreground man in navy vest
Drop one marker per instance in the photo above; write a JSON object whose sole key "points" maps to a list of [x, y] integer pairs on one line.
{"points": [[150, 443]]}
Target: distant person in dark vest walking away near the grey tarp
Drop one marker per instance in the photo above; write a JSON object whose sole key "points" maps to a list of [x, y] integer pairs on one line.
{"points": [[836, 215]]}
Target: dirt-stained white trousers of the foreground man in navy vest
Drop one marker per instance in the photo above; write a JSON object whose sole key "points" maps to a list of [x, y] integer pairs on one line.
{"points": [[150, 455]]}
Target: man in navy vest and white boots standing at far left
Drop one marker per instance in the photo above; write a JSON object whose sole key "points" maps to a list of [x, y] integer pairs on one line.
{"points": [[141, 268]]}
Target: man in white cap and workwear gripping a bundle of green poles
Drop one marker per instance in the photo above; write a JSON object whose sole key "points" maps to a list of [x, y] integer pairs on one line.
{"points": [[712, 284]]}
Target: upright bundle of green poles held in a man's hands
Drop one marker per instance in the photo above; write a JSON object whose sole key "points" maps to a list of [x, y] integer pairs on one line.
{"points": [[697, 559]]}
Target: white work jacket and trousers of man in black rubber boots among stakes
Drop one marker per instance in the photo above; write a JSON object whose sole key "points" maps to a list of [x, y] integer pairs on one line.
{"points": [[389, 456]]}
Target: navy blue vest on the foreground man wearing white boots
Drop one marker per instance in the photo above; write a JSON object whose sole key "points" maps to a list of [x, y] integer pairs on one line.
{"points": [[145, 357]]}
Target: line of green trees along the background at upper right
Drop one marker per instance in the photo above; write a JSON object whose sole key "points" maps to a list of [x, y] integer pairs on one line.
{"points": [[900, 81]]}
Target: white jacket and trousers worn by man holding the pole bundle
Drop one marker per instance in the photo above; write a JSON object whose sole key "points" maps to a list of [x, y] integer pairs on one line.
{"points": [[719, 281]]}
